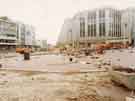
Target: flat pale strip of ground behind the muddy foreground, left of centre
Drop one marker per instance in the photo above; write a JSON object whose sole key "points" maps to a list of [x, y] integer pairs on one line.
{"points": [[46, 63]]}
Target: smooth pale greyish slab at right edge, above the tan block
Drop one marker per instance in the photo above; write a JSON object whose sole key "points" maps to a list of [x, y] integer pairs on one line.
{"points": [[123, 57]]}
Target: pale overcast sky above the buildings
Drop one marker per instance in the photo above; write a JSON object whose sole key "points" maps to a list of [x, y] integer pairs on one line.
{"points": [[47, 16]]}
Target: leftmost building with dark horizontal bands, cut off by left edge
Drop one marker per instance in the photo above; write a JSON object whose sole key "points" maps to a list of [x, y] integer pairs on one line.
{"points": [[8, 33]]}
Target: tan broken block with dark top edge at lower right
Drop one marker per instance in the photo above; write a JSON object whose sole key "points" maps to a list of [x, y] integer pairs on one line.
{"points": [[123, 76]]}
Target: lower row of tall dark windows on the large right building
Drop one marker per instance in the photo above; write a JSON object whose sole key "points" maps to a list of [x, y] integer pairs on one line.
{"points": [[114, 30]]}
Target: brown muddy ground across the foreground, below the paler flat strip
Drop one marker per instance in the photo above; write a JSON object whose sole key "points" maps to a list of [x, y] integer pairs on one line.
{"points": [[68, 86]]}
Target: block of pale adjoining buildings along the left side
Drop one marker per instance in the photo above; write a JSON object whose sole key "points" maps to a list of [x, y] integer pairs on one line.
{"points": [[14, 34]]}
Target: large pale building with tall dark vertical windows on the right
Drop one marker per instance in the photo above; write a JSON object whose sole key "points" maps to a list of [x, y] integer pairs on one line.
{"points": [[94, 26]]}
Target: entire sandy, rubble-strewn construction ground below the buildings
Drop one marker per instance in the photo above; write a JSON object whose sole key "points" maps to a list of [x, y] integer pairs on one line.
{"points": [[63, 75]]}
